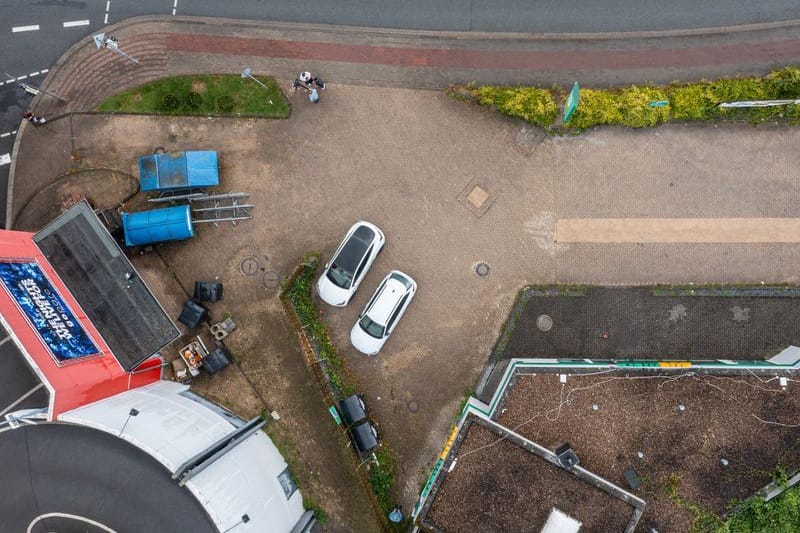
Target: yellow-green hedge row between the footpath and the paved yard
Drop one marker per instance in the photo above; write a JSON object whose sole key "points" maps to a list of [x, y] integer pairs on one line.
{"points": [[630, 107]]}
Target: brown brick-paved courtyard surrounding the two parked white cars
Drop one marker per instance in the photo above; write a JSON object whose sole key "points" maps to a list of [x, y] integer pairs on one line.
{"points": [[405, 160]]}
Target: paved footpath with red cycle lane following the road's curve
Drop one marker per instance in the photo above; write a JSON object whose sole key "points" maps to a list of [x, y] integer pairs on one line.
{"points": [[395, 58]]}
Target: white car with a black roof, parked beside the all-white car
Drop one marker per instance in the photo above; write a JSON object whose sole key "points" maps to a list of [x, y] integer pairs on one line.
{"points": [[344, 273]]}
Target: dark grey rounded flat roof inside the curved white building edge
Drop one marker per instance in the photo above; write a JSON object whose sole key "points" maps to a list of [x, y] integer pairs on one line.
{"points": [[60, 477]]}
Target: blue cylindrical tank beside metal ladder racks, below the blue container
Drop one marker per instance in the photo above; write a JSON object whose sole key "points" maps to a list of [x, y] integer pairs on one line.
{"points": [[158, 225]]}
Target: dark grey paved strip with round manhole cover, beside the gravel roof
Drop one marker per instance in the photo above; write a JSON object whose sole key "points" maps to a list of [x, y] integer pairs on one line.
{"points": [[609, 322]]}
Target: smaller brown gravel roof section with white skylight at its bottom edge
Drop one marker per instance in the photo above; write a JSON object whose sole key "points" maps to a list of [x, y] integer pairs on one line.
{"points": [[502, 487]]}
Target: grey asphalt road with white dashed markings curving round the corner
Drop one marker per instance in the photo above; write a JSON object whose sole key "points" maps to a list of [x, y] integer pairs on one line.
{"points": [[34, 33]]}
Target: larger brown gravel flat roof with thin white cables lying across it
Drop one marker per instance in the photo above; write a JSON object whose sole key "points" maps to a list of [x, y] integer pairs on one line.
{"points": [[684, 426]]}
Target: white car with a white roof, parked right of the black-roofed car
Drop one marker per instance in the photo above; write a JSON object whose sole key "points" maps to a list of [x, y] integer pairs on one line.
{"points": [[381, 315]]}
